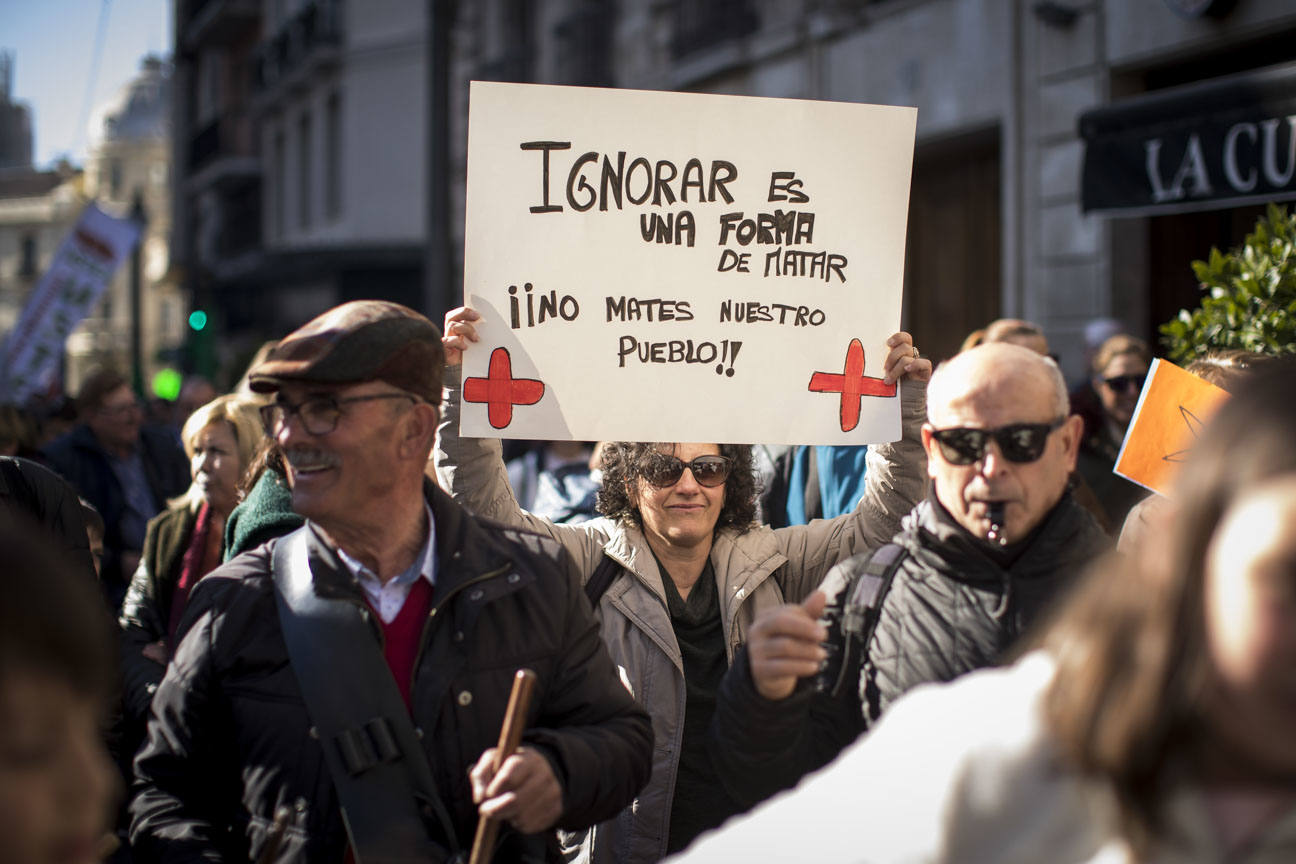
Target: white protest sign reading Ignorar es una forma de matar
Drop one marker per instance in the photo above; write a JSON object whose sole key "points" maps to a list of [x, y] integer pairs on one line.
{"points": [[659, 266]]}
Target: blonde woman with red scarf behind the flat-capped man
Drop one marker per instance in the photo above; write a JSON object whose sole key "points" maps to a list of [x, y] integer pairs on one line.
{"points": [[182, 546]]}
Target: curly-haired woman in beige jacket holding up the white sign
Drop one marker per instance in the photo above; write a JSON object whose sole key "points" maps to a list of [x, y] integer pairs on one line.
{"points": [[678, 571]]}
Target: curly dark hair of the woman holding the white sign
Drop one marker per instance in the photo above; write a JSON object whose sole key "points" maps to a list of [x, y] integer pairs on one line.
{"points": [[621, 467]]}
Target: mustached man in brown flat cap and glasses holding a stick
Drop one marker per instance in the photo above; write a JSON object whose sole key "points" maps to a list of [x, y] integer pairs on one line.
{"points": [[338, 692]]}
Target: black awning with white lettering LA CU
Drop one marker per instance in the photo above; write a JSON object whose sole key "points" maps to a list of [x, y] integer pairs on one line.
{"points": [[1216, 144]]}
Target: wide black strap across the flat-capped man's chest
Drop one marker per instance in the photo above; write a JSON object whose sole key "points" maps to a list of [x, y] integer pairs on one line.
{"points": [[379, 767]]}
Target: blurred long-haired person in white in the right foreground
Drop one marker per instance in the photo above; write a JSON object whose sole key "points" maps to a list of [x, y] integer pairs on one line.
{"points": [[1151, 723]]}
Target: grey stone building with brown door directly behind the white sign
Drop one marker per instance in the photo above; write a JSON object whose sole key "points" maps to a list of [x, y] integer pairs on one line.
{"points": [[999, 225]]}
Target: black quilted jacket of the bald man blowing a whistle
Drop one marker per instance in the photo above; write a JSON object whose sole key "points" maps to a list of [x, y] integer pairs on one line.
{"points": [[951, 609]]}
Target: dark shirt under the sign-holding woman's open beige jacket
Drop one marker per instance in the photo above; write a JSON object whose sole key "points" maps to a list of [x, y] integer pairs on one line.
{"points": [[700, 801]]}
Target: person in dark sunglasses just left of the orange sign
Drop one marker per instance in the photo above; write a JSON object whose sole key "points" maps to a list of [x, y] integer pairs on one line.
{"points": [[1120, 366]]}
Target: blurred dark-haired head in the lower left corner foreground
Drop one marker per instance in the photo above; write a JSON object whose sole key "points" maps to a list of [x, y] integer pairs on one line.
{"points": [[58, 786]]}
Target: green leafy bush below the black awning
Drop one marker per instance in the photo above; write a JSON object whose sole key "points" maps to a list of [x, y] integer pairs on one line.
{"points": [[1249, 296]]}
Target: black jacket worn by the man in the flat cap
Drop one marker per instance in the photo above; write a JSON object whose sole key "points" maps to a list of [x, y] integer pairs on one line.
{"points": [[230, 738]]}
